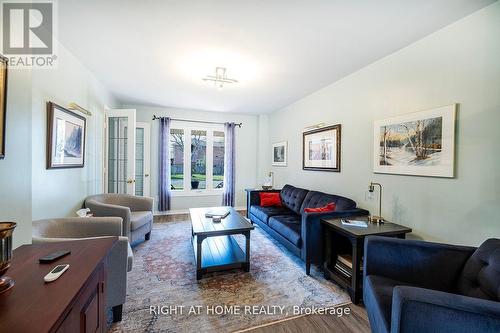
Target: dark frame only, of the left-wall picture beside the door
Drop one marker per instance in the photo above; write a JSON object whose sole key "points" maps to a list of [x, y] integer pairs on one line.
{"points": [[51, 110]]}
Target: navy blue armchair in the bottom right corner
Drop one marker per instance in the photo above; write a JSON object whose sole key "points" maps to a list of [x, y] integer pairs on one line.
{"points": [[416, 286]]}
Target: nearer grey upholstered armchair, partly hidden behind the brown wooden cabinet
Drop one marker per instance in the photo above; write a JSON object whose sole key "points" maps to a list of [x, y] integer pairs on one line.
{"points": [[119, 261]]}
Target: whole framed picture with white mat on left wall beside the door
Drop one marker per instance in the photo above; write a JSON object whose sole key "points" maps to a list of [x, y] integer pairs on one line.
{"points": [[65, 138]]}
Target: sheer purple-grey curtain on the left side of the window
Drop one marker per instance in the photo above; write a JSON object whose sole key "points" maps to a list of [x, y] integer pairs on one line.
{"points": [[164, 165]]}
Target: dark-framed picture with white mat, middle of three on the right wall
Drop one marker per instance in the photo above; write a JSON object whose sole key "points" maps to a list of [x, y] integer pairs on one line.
{"points": [[321, 149]]}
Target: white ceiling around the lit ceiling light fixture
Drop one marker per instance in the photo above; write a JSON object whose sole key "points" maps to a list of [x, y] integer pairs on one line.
{"points": [[155, 52]]}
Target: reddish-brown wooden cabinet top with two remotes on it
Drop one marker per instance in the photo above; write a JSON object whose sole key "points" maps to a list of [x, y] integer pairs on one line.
{"points": [[33, 305]]}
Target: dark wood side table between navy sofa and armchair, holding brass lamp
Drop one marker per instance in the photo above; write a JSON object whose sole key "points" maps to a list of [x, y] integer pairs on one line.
{"points": [[349, 241]]}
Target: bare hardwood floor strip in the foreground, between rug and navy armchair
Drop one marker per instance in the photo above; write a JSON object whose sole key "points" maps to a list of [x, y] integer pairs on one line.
{"points": [[355, 322]]}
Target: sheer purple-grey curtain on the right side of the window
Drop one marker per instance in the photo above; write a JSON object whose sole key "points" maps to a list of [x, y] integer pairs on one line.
{"points": [[228, 194]]}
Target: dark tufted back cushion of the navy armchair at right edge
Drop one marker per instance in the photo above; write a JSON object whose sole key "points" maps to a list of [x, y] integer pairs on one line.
{"points": [[481, 274]]}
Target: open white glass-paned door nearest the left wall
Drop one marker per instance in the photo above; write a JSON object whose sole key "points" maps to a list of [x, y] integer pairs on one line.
{"points": [[120, 151]]}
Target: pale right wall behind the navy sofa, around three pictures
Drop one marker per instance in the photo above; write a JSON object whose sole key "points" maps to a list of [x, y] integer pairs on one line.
{"points": [[458, 64]]}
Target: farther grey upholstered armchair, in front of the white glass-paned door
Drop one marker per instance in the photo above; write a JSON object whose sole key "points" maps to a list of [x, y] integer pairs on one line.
{"points": [[136, 212]]}
